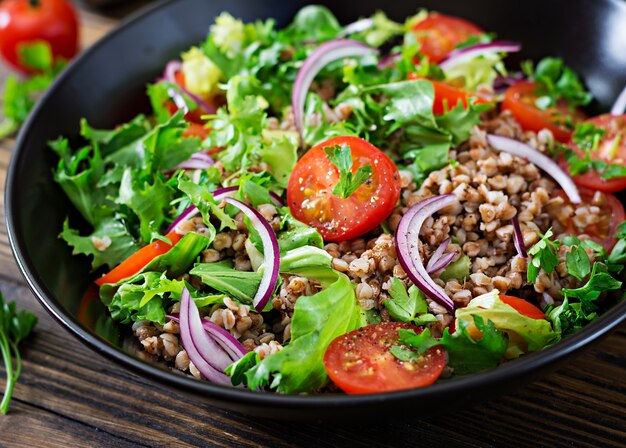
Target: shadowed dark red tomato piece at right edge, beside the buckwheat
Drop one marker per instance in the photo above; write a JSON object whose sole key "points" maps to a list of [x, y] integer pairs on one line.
{"points": [[612, 214]]}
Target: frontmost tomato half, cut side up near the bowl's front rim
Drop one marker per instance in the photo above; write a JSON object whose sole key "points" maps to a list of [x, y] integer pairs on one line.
{"points": [[359, 362]]}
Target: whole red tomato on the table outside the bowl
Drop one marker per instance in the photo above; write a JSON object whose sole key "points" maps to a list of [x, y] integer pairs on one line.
{"points": [[53, 21]]}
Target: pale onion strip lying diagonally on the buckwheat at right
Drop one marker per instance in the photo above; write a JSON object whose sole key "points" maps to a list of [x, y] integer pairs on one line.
{"points": [[532, 155]]}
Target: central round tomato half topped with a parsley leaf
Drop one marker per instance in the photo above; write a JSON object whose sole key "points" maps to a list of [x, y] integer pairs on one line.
{"points": [[310, 191]]}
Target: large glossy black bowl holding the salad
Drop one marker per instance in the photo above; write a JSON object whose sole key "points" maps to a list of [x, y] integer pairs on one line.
{"points": [[106, 85]]}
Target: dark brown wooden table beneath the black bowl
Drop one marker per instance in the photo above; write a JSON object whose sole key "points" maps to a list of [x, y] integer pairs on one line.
{"points": [[69, 397]]}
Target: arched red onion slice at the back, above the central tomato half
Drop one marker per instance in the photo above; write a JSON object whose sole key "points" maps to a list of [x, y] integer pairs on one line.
{"points": [[320, 58]]}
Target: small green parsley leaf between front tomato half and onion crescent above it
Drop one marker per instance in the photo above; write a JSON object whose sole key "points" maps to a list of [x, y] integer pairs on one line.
{"points": [[409, 308]]}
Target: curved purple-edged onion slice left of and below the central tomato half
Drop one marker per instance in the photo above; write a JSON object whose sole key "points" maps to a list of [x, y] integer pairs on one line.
{"points": [[271, 253]]}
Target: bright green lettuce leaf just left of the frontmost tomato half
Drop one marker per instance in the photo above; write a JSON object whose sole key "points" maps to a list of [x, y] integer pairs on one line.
{"points": [[317, 320]]}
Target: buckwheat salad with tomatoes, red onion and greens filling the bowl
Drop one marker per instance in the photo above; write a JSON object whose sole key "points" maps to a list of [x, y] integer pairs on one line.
{"points": [[359, 209]]}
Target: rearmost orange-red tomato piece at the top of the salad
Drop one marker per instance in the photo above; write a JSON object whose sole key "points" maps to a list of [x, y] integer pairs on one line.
{"points": [[439, 34]]}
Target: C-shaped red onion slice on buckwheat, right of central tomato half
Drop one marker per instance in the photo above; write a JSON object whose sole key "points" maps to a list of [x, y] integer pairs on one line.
{"points": [[407, 239]]}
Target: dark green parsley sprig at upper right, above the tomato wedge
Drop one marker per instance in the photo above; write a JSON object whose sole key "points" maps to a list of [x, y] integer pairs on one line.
{"points": [[556, 82]]}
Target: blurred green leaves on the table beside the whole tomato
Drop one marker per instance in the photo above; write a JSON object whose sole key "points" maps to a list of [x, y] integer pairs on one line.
{"points": [[20, 94]]}
